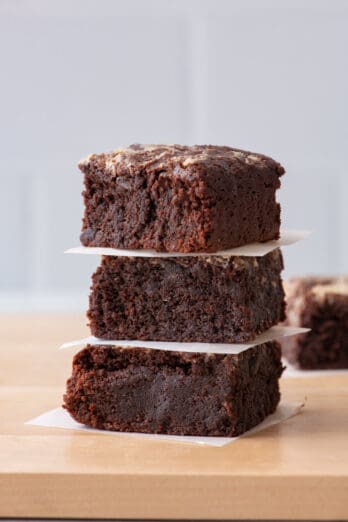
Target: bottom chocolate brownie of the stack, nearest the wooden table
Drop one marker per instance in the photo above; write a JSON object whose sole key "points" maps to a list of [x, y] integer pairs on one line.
{"points": [[156, 391]]}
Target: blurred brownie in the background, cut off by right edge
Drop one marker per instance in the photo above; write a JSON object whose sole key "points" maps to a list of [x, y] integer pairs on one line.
{"points": [[319, 303]]}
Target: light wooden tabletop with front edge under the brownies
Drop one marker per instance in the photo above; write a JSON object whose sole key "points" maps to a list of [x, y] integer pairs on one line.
{"points": [[296, 470]]}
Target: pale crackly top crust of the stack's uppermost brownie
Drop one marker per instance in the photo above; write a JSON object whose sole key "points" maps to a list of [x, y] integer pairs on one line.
{"points": [[179, 159]]}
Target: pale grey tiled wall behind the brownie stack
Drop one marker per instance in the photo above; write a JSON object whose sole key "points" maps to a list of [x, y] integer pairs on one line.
{"points": [[88, 76]]}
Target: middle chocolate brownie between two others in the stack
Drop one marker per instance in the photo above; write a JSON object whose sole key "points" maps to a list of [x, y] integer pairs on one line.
{"points": [[188, 299]]}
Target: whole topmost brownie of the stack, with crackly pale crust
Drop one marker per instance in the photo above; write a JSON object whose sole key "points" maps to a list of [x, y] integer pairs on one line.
{"points": [[175, 198]]}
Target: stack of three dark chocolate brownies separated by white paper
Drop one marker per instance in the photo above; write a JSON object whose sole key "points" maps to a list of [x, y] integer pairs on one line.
{"points": [[188, 205]]}
